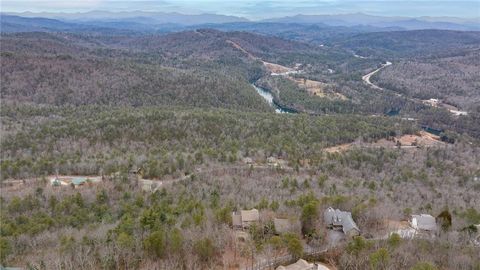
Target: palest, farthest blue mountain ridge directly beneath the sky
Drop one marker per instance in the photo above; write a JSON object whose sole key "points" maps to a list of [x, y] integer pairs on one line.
{"points": [[354, 19]]}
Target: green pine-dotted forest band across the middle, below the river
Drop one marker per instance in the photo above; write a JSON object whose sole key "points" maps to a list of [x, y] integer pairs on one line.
{"points": [[75, 139]]}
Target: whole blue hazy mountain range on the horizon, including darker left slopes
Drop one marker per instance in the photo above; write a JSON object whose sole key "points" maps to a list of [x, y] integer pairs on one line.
{"points": [[167, 22]]}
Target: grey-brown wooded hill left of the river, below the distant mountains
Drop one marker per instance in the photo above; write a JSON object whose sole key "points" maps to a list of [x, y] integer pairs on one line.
{"points": [[52, 69]]}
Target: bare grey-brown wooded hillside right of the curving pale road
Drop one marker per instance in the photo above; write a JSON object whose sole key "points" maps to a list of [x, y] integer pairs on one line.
{"points": [[453, 79]]}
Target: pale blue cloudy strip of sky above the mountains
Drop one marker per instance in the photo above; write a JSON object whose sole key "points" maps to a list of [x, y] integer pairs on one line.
{"points": [[257, 9]]}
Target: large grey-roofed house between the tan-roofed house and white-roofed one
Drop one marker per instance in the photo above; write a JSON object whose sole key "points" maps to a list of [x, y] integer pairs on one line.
{"points": [[341, 220]]}
